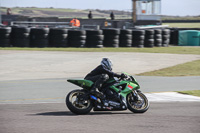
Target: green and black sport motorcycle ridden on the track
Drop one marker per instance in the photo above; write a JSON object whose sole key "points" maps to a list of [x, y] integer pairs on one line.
{"points": [[119, 94]]}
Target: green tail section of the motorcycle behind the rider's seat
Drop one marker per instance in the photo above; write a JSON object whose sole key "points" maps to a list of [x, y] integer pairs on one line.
{"points": [[81, 82]]}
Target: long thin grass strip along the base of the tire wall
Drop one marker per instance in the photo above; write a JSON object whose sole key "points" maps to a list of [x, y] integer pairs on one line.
{"points": [[171, 50]]}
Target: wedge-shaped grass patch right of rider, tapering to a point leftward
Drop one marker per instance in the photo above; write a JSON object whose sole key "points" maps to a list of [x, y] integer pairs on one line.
{"points": [[186, 69]]}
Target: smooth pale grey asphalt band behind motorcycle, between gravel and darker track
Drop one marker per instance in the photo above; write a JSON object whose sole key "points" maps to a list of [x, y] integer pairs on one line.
{"points": [[55, 90]]}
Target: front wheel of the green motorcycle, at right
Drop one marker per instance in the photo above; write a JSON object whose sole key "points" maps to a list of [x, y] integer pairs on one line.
{"points": [[137, 106]]}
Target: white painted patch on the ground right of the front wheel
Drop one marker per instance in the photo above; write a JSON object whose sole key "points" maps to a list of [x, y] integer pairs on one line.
{"points": [[171, 97]]}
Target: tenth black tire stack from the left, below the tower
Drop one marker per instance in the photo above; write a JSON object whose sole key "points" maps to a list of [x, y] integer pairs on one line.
{"points": [[149, 38]]}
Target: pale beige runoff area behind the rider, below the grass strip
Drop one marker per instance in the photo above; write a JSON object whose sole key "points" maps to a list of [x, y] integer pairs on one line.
{"points": [[18, 65]]}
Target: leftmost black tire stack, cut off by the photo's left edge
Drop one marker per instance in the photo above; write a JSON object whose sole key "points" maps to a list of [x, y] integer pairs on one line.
{"points": [[5, 36]]}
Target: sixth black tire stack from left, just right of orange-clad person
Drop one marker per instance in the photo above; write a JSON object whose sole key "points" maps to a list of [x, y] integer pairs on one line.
{"points": [[94, 39]]}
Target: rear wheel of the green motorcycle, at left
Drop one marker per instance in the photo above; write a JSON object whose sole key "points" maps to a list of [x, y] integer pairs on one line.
{"points": [[77, 103]]}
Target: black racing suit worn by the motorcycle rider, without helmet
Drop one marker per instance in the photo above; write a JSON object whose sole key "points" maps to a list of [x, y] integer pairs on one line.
{"points": [[100, 75]]}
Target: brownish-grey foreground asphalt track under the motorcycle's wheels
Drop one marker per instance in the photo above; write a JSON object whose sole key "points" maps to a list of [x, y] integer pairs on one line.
{"points": [[173, 117]]}
